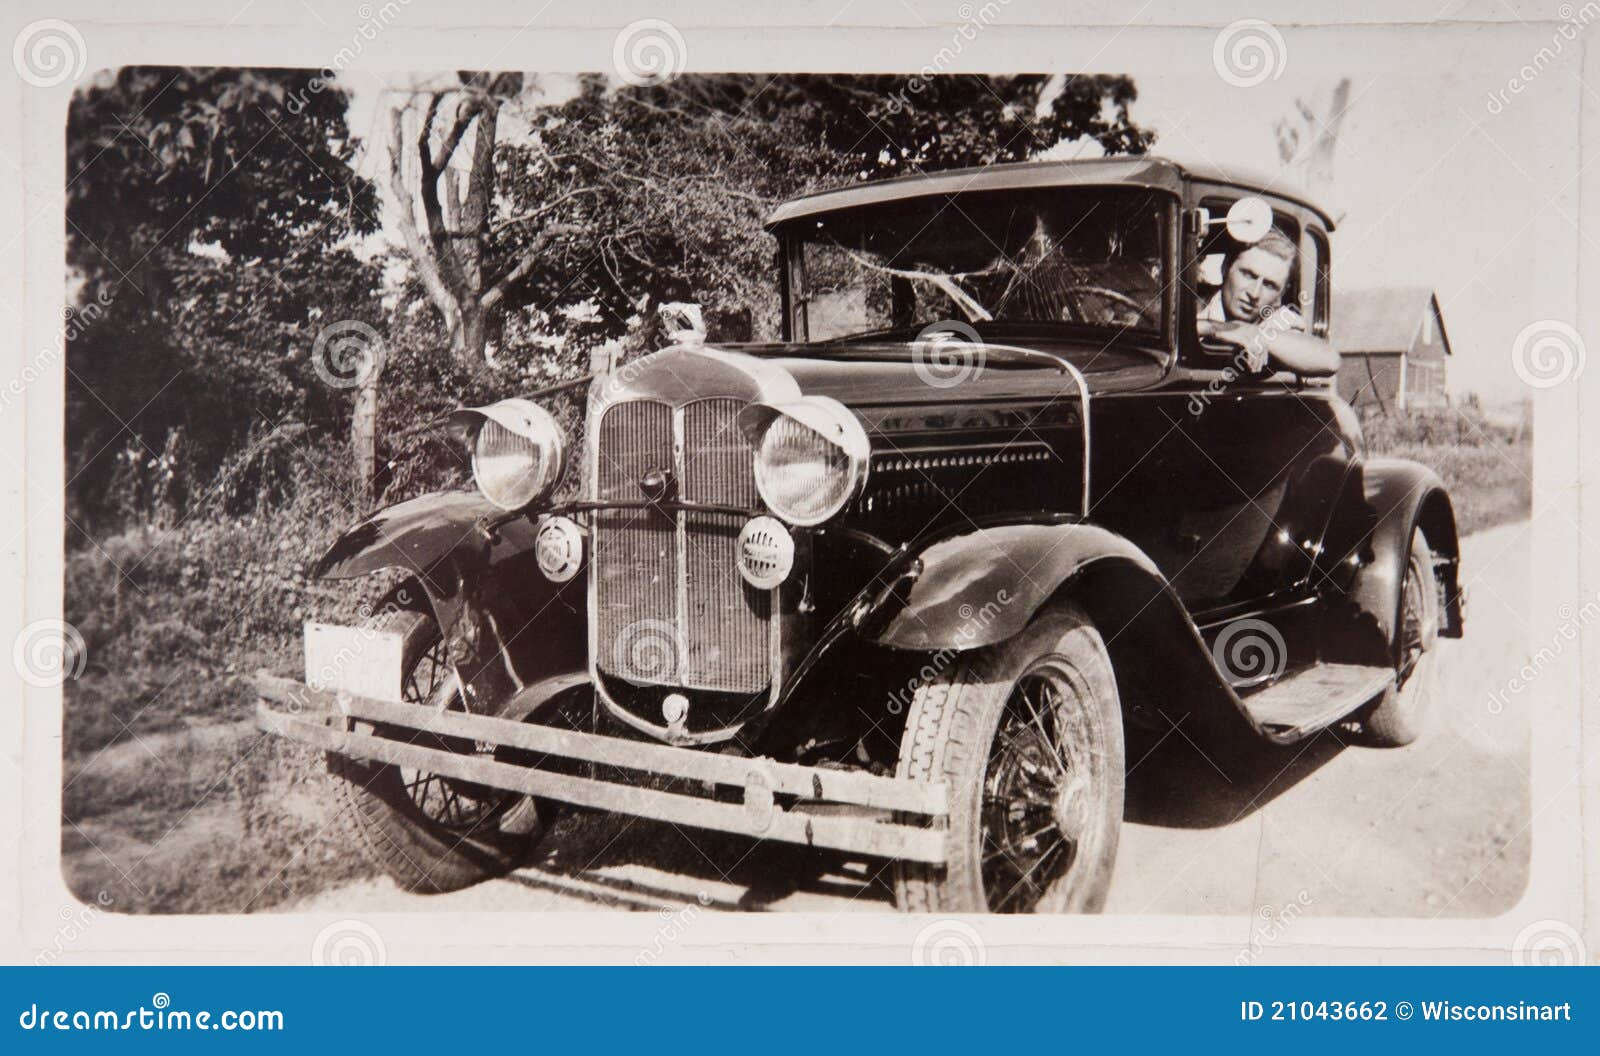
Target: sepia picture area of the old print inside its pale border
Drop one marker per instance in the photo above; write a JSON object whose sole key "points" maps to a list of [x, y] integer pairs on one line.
{"points": [[927, 492]]}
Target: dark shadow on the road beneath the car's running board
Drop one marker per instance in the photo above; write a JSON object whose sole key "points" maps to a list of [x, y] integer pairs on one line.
{"points": [[1174, 785]]}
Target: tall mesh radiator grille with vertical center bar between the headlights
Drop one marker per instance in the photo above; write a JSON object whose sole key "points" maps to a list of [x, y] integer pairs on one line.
{"points": [[671, 607]]}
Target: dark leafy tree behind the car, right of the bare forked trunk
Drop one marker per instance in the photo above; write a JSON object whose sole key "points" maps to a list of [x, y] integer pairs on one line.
{"points": [[670, 186]]}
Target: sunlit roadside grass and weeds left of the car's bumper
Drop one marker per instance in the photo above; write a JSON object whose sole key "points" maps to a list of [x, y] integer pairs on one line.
{"points": [[172, 802]]}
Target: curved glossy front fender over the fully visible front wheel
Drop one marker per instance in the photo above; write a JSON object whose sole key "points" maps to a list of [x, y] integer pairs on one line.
{"points": [[980, 588]]}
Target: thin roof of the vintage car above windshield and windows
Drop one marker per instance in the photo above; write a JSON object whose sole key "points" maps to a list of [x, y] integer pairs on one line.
{"points": [[1122, 170]]}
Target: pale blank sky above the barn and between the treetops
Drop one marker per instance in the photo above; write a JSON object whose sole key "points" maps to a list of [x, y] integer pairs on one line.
{"points": [[1442, 177]]}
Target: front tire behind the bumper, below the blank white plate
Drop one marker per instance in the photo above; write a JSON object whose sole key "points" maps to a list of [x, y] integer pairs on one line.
{"points": [[431, 834]]}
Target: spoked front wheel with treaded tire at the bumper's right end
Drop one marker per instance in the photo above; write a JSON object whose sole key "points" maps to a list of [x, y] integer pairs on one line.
{"points": [[1028, 737]]}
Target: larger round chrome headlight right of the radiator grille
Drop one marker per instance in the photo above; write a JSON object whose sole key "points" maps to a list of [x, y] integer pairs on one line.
{"points": [[810, 458]]}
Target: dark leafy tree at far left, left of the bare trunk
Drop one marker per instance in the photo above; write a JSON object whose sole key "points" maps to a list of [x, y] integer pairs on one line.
{"points": [[214, 212]]}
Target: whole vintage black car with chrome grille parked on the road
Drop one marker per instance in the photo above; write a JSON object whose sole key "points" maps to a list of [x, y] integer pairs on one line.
{"points": [[902, 585]]}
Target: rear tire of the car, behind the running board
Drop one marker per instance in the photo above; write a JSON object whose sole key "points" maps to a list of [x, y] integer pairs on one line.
{"points": [[1409, 706]]}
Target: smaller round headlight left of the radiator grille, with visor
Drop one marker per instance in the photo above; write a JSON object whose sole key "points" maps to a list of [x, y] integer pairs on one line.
{"points": [[518, 454]]}
